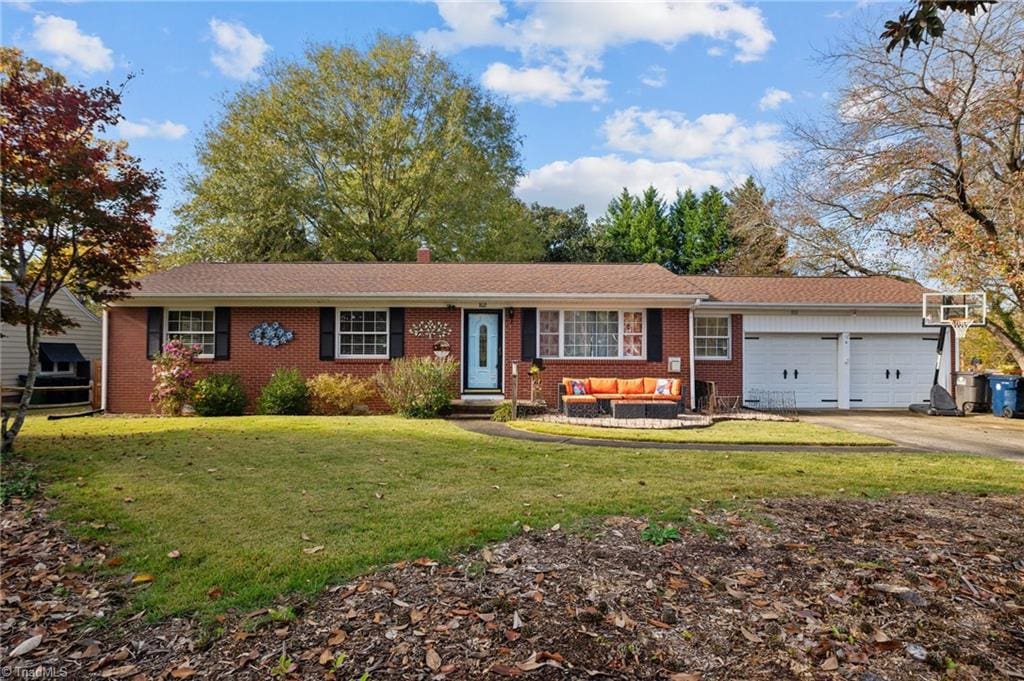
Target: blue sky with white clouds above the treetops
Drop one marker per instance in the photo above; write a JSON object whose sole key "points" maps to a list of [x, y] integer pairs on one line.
{"points": [[607, 95]]}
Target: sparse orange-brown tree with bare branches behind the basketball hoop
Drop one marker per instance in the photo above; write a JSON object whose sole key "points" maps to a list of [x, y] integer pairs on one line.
{"points": [[919, 171]]}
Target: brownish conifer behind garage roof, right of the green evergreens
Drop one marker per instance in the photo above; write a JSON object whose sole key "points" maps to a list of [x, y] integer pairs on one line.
{"points": [[759, 245]]}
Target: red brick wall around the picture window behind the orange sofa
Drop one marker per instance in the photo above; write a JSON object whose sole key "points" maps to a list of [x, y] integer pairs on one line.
{"points": [[675, 344]]}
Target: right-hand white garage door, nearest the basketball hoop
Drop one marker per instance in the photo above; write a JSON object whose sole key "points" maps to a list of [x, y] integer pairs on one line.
{"points": [[889, 370]]}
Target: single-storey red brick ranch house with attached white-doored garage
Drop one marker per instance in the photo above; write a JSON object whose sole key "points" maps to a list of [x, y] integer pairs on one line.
{"points": [[836, 343]]}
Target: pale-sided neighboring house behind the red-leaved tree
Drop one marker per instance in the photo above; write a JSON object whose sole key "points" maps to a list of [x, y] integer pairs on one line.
{"points": [[62, 355]]}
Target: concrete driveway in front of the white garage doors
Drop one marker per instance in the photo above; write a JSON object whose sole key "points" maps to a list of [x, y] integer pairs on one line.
{"points": [[983, 434]]}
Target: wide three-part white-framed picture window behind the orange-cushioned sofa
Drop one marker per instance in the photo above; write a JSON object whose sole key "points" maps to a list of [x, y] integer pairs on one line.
{"points": [[591, 334]]}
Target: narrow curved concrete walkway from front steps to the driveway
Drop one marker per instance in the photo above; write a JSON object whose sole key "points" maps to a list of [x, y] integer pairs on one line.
{"points": [[496, 430]]}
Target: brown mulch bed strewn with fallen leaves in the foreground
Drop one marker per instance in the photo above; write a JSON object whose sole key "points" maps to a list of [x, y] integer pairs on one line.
{"points": [[899, 588]]}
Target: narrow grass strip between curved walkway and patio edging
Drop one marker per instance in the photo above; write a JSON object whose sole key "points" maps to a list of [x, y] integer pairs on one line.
{"points": [[723, 433]]}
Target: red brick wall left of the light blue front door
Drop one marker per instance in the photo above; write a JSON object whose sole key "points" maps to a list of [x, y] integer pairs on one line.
{"points": [[131, 373]]}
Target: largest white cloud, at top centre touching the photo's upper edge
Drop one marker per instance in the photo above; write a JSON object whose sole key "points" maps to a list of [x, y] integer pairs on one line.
{"points": [[573, 37]]}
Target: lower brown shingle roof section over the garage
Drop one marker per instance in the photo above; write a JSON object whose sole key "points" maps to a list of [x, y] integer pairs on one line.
{"points": [[810, 290]]}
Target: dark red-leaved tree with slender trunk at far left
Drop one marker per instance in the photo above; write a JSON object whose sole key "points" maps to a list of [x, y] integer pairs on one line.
{"points": [[77, 208]]}
